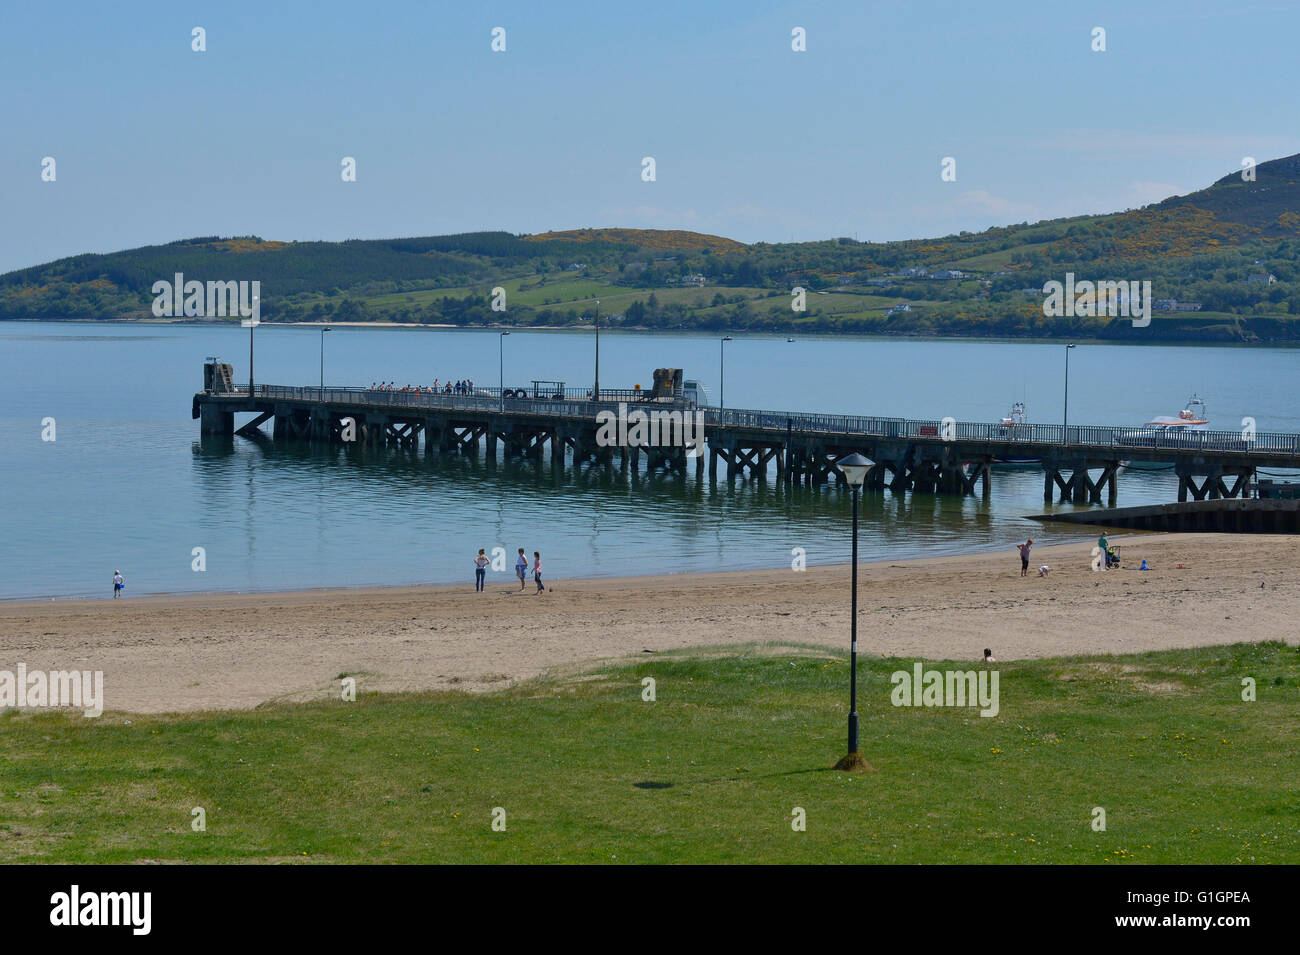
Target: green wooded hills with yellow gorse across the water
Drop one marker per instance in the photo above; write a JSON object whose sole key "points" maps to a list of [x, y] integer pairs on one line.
{"points": [[1223, 263]]}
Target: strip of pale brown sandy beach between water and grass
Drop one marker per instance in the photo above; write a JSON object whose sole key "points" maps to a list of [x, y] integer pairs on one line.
{"points": [[241, 650]]}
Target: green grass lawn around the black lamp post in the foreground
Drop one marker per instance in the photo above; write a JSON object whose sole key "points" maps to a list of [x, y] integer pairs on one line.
{"points": [[712, 771]]}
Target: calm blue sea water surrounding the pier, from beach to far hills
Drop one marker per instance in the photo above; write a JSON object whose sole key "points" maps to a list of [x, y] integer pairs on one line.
{"points": [[128, 485]]}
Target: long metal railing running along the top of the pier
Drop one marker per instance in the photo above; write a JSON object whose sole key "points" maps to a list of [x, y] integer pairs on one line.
{"points": [[846, 427]]}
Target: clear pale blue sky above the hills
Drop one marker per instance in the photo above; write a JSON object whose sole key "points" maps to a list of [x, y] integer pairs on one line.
{"points": [[752, 141]]}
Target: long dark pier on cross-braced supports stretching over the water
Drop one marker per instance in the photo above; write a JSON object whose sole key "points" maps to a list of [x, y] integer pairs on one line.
{"points": [[920, 455]]}
